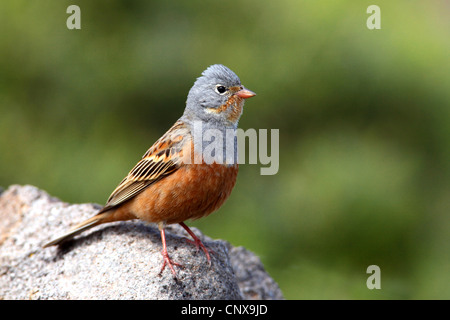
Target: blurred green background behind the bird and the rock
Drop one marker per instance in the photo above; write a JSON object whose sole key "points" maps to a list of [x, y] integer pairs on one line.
{"points": [[364, 120]]}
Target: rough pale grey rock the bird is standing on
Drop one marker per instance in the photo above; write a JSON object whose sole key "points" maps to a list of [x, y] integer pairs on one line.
{"points": [[120, 260]]}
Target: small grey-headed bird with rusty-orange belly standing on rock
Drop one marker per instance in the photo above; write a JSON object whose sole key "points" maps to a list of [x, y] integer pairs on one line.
{"points": [[176, 180]]}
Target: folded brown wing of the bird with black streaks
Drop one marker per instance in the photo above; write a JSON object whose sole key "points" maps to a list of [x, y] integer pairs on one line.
{"points": [[162, 159]]}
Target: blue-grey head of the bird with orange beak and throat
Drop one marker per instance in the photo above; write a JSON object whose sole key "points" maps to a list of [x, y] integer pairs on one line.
{"points": [[216, 98]]}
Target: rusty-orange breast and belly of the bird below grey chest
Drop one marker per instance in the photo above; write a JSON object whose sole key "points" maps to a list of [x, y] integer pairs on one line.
{"points": [[191, 192]]}
